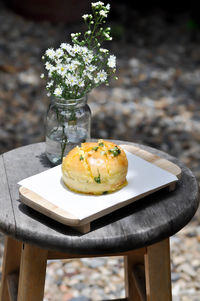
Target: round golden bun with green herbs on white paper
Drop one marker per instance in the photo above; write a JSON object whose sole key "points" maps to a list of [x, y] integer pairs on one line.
{"points": [[95, 168]]}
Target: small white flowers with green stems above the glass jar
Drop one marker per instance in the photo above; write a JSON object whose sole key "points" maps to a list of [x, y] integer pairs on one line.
{"points": [[74, 69]]}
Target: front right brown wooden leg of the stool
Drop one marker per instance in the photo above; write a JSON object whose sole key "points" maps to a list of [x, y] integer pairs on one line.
{"points": [[157, 272]]}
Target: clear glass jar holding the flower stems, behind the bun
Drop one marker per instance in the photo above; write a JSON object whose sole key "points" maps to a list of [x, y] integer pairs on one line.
{"points": [[68, 123]]}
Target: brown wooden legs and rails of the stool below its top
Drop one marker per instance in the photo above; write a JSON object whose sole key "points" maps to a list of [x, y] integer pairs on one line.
{"points": [[25, 271]]}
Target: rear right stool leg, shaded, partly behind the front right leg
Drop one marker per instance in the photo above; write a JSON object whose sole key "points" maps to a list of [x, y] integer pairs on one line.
{"points": [[131, 260]]}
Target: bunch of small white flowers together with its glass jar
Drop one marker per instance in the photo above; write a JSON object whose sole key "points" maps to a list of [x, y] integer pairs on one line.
{"points": [[72, 71]]}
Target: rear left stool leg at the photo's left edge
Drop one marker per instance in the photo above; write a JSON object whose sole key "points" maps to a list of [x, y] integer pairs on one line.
{"points": [[11, 263]]}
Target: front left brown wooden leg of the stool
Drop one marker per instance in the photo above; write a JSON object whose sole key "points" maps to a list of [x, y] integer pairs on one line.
{"points": [[32, 273]]}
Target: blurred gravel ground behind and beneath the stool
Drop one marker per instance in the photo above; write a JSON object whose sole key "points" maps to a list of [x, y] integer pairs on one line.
{"points": [[154, 102]]}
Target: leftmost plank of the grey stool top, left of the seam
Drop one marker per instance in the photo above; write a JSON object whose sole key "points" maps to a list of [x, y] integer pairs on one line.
{"points": [[7, 221]]}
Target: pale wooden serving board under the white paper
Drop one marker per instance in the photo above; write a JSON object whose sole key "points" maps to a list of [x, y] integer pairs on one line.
{"points": [[53, 211]]}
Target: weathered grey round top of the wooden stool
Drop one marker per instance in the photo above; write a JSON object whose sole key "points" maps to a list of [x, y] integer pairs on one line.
{"points": [[142, 223]]}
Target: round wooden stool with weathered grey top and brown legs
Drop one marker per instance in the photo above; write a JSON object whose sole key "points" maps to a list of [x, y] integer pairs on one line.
{"points": [[139, 232]]}
